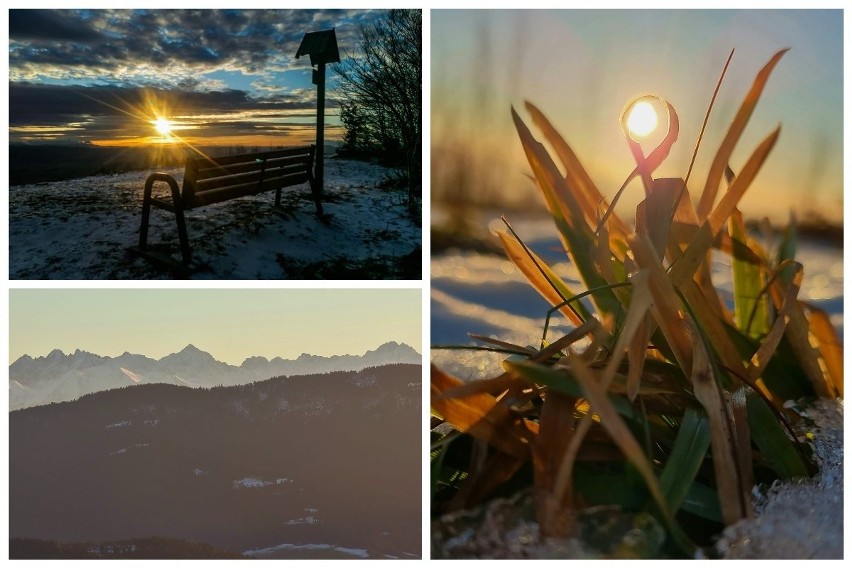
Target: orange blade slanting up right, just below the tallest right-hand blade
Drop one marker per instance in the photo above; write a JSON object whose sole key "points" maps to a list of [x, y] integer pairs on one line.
{"points": [[685, 267]]}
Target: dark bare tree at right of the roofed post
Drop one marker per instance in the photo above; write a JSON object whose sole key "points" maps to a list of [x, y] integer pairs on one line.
{"points": [[381, 89]]}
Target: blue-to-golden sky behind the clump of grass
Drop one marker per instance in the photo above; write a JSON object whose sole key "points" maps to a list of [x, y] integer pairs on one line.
{"points": [[580, 67]]}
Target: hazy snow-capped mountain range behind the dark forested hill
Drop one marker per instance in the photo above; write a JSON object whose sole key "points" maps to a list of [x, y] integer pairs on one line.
{"points": [[58, 377]]}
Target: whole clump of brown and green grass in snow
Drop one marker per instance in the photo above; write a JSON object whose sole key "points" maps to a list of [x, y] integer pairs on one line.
{"points": [[659, 381]]}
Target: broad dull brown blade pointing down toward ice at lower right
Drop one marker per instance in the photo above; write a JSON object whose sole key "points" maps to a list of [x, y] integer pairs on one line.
{"points": [[722, 436]]}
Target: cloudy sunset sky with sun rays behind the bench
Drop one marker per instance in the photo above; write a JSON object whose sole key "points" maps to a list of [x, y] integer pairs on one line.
{"points": [[220, 76]]}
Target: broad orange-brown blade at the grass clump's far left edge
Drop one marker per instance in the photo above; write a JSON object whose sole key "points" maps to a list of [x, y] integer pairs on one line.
{"points": [[481, 416]]}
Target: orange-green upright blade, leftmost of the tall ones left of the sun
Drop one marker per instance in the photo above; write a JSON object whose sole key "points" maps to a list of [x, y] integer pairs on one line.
{"points": [[568, 215]]}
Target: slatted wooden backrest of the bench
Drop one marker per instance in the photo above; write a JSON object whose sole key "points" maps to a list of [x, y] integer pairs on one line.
{"points": [[211, 180]]}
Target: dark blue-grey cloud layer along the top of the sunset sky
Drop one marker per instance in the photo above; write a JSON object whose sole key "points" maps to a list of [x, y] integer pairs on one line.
{"points": [[74, 41]]}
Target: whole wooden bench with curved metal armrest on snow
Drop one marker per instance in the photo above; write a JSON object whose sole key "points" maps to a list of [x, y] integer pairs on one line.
{"points": [[213, 180]]}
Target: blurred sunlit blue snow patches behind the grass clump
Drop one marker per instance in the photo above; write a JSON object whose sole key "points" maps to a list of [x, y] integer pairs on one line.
{"points": [[484, 294]]}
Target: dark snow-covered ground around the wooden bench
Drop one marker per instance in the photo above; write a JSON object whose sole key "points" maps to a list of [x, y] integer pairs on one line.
{"points": [[83, 228]]}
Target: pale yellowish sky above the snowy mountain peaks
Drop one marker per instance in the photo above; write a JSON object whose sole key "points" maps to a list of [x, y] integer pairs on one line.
{"points": [[229, 324]]}
